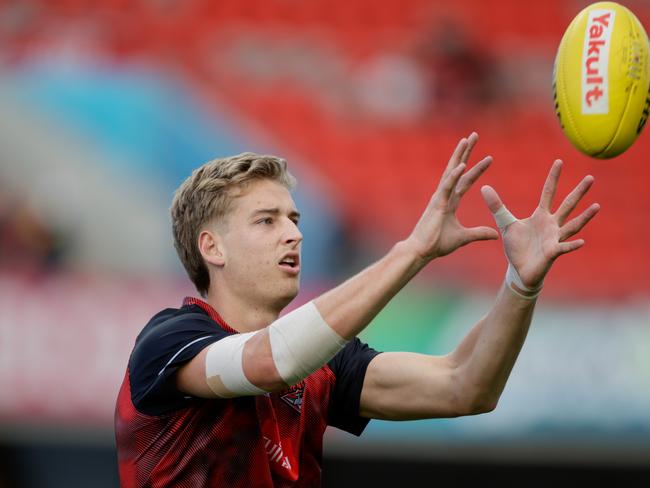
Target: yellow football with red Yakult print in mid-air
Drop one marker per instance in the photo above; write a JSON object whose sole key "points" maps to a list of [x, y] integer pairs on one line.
{"points": [[601, 80]]}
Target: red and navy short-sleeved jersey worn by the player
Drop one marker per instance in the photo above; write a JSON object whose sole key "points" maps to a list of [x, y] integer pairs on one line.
{"points": [[166, 438]]}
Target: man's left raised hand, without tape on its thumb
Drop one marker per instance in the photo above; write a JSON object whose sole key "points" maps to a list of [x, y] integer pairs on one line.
{"points": [[438, 232]]}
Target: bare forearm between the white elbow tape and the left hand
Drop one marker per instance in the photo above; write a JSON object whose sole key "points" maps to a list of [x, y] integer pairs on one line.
{"points": [[350, 307]]}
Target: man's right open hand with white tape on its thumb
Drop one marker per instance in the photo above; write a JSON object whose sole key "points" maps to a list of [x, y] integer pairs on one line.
{"points": [[532, 244]]}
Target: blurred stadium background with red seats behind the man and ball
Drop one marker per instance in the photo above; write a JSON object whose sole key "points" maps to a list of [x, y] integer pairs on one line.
{"points": [[106, 106]]}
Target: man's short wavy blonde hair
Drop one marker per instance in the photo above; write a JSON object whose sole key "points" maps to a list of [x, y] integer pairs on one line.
{"points": [[207, 196]]}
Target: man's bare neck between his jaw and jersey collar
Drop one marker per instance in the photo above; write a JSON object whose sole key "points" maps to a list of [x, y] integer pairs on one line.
{"points": [[243, 316]]}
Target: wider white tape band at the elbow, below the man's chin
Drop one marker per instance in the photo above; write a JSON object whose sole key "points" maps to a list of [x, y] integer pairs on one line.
{"points": [[301, 342]]}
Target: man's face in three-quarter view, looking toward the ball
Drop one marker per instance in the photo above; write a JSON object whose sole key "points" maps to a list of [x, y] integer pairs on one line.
{"points": [[261, 244]]}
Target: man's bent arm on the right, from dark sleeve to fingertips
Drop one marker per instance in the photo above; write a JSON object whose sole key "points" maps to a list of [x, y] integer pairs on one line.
{"points": [[469, 380]]}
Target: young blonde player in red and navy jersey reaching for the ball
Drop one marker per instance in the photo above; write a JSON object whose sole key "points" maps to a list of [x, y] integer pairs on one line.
{"points": [[222, 392]]}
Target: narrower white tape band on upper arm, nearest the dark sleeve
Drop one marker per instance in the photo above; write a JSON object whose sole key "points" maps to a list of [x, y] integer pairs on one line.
{"points": [[224, 370]]}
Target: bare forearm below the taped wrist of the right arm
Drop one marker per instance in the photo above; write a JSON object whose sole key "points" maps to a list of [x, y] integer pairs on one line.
{"points": [[487, 354]]}
